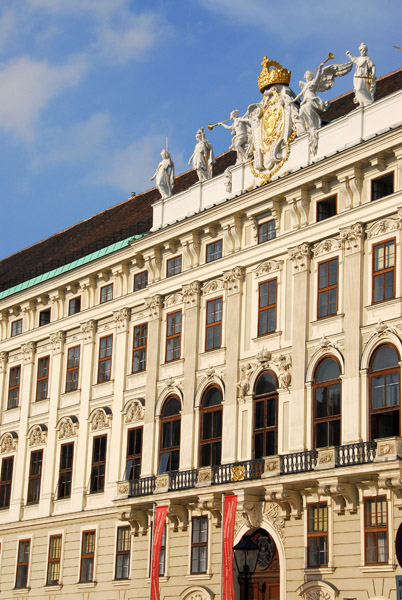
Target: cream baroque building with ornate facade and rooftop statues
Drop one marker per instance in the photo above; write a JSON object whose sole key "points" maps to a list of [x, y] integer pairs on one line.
{"points": [[228, 339]]}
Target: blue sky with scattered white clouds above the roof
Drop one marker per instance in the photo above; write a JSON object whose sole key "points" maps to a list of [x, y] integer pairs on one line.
{"points": [[91, 89]]}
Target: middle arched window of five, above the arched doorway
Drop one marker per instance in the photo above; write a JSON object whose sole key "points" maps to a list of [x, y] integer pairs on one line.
{"points": [[265, 434]]}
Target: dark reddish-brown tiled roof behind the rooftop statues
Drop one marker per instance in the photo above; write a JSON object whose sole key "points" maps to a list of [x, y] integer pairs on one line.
{"points": [[134, 215]]}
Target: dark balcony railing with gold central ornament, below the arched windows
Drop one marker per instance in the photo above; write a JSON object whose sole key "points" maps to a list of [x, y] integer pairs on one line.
{"points": [[295, 462]]}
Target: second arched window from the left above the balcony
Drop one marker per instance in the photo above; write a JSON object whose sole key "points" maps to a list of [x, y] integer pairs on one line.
{"points": [[211, 428]]}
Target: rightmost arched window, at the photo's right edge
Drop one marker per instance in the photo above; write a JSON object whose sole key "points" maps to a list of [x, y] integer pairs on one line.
{"points": [[384, 393]]}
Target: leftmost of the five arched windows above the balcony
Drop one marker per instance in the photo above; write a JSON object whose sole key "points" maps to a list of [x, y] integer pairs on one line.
{"points": [[169, 451]]}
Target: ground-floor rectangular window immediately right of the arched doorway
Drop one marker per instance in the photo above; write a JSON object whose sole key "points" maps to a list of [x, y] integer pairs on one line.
{"points": [[317, 535]]}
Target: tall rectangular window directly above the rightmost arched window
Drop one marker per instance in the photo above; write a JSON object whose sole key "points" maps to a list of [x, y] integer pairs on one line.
{"points": [[384, 271]]}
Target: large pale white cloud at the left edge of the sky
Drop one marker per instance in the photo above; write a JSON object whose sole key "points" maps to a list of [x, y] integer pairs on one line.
{"points": [[27, 86]]}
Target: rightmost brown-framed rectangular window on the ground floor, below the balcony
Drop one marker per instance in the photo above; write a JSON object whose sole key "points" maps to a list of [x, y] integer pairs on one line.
{"points": [[375, 530]]}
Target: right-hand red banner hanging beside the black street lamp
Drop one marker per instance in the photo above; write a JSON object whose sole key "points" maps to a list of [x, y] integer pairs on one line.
{"points": [[229, 516]]}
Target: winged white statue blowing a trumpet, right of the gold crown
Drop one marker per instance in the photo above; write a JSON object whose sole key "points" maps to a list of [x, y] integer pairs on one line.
{"points": [[308, 119]]}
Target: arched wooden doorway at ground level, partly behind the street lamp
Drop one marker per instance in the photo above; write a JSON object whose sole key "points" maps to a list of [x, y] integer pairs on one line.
{"points": [[264, 584]]}
